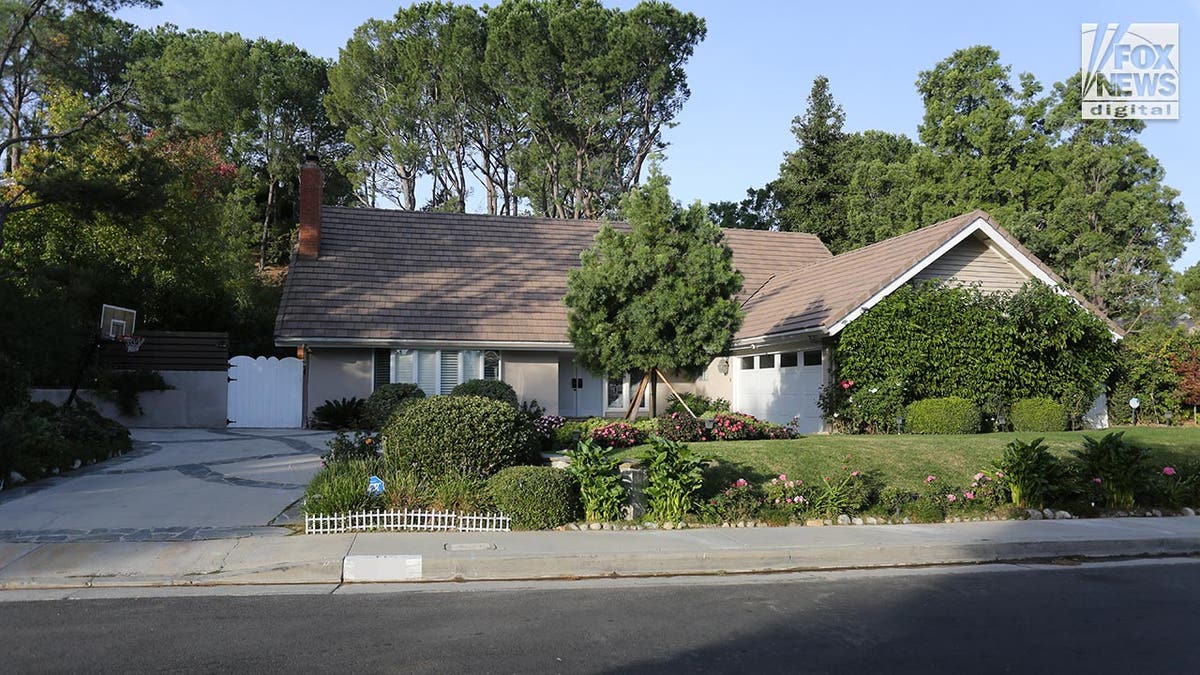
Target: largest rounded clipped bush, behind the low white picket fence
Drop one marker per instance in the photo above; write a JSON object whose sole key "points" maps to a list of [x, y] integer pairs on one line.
{"points": [[469, 437]]}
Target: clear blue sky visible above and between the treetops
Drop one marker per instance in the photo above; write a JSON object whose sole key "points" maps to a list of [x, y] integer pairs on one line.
{"points": [[751, 77]]}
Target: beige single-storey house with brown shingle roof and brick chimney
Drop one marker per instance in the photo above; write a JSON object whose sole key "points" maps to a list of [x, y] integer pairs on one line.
{"points": [[387, 296]]}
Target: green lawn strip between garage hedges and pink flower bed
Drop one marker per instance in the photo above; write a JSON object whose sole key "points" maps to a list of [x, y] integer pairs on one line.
{"points": [[905, 461]]}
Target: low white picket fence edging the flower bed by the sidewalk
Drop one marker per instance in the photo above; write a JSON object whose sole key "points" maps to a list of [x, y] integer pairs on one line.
{"points": [[406, 522]]}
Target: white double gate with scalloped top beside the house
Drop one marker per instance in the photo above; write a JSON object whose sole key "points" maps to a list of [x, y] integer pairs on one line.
{"points": [[266, 393]]}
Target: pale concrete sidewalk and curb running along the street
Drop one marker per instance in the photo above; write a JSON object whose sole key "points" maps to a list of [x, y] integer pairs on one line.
{"points": [[333, 559]]}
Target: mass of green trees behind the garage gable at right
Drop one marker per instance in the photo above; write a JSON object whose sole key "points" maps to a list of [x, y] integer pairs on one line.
{"points": [[1085, 196]]}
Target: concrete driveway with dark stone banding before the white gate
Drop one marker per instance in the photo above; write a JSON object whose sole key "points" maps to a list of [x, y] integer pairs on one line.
{"points": [[177, 485]]}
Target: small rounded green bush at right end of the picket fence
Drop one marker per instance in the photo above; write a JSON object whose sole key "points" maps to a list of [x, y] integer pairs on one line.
{"points": [[536, 498]]}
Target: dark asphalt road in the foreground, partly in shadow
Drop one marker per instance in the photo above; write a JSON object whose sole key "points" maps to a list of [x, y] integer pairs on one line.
{"points": [[1118, 618]]}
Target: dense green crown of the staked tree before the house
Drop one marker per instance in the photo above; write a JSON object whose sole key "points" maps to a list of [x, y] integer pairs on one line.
{"points": [[659, 296]]}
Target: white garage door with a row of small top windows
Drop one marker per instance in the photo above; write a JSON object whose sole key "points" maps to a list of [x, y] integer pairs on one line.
{"points": [[781, 387]]}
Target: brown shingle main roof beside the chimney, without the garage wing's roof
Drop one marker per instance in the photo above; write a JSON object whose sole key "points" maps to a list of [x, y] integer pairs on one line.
{"points": [[409, 276]]}
